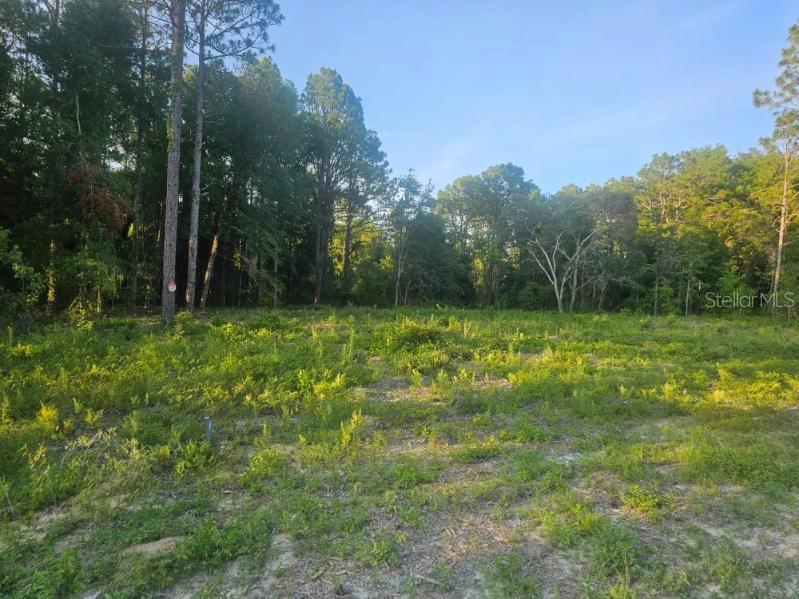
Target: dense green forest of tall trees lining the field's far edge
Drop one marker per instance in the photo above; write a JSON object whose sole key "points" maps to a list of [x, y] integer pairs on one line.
{"points": [[152, 148]]}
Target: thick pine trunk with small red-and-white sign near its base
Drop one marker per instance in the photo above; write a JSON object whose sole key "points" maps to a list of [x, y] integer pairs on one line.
{"points": [[177, 16]]}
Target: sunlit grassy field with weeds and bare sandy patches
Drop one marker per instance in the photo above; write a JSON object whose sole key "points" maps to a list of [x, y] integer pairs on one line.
{"points": [[401, 453]]}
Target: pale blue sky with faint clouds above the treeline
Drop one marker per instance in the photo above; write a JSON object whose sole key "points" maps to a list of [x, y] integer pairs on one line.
{"points": [[576, 92]]}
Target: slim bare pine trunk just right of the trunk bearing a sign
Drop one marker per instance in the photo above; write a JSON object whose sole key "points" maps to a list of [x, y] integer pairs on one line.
{"points": [[191, 277]]}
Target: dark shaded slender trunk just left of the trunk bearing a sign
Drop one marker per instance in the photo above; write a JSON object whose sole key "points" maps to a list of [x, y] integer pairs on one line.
{"points": [[139, 176]]}
